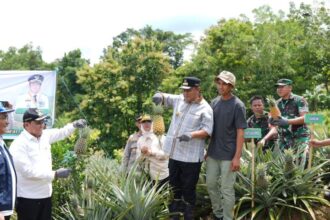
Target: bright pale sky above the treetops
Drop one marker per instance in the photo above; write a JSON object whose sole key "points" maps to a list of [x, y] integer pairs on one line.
{"points": [[60, 26]]}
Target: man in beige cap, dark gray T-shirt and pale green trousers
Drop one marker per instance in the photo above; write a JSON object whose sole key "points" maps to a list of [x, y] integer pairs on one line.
{"points": [[224, 152]]}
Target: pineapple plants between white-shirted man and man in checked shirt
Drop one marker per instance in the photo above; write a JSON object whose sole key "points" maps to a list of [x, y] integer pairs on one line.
{"points": [[107, 193]]}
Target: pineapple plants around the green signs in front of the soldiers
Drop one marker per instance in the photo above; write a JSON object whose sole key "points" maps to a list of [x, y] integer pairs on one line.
{"points": [[283, 189]]}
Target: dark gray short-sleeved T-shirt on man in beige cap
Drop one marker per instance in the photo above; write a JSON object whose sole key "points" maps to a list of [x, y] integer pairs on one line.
{"points": [[229, 115]]}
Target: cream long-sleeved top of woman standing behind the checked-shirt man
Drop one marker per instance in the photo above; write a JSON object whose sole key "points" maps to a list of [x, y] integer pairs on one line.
{"points": [[157, 160]]}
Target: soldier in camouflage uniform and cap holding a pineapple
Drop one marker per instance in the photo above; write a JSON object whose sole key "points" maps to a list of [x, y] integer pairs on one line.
{"points": [[292, 130]]}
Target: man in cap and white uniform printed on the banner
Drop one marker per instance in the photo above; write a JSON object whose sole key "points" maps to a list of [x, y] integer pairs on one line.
{"points": [[34, 98]]}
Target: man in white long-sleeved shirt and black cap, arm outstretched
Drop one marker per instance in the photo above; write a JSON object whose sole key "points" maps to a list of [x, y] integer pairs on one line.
{"points": [[33, 162]]}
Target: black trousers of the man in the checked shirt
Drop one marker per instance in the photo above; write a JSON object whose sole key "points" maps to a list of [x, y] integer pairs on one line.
{"points": [[183, 179]]}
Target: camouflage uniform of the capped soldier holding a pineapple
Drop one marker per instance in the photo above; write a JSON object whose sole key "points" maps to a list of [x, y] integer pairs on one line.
{"points": [[293, 136]]}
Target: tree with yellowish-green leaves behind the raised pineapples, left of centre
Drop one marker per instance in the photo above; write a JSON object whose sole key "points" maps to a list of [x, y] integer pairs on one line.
{"points": [[120, 86]]}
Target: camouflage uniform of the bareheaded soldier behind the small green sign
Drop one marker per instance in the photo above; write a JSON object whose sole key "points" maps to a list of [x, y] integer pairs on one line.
{"points": [[262, 122]]}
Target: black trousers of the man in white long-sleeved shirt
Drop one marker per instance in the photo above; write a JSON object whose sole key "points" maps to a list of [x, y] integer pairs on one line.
{"points": [[34, 209]]}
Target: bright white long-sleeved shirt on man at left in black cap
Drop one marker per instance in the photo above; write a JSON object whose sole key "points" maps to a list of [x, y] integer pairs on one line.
{"points": [[33, 161]]}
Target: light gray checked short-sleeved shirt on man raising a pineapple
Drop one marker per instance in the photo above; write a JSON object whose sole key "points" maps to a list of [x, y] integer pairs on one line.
{"points": [[187, 117]]}
